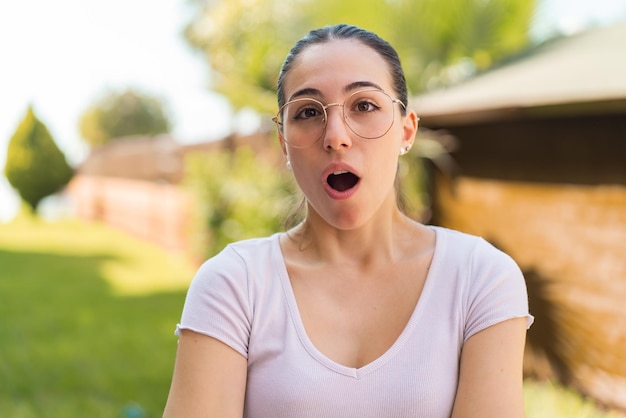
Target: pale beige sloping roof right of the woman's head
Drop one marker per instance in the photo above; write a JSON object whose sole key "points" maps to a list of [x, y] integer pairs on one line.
{"points": [[581, 73]]}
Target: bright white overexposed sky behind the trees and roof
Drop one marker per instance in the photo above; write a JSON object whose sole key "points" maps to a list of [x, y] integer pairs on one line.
{"points": [[60, 56]]}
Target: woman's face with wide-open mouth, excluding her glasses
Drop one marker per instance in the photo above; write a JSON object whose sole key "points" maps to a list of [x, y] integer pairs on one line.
{"points": [[347, 180]]}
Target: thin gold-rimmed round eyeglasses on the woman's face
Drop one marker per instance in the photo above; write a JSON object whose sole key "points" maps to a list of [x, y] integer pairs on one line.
{"points": [[368, 113]]}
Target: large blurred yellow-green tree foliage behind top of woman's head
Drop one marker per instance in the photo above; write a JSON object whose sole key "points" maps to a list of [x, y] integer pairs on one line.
{"points": [[245, 41]]}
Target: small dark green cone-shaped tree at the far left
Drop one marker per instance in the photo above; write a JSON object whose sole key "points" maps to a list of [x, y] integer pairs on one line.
{"points": [[35, 166]]}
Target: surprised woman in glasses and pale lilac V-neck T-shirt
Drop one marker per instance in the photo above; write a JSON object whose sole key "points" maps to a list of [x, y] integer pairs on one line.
{"points": [[358, 311]]}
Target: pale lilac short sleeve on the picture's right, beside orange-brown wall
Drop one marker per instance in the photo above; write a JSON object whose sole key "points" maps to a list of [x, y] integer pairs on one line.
{"points": [[496, 290]]}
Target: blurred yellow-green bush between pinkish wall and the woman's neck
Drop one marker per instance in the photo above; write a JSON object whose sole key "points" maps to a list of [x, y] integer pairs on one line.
{"points": [[237, 197]]}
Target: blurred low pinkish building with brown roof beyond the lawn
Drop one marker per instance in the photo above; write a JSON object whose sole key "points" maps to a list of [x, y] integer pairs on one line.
{"points": [[134, 184]]}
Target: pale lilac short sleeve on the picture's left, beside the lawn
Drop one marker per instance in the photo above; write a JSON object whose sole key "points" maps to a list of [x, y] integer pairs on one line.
{"points": [[217, 302]]}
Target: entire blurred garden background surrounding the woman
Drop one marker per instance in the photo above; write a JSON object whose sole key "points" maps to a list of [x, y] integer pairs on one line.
{"points": [[135, 141]]}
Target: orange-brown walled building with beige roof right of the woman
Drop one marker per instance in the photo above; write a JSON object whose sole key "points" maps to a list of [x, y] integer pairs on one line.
{"points": [[541, 173]]}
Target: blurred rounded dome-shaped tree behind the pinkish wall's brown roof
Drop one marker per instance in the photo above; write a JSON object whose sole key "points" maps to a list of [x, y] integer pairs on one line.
{"points": [[122, 114]]}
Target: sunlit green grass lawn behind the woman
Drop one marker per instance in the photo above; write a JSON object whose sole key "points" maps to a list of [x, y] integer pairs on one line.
{"points": [[87, 320]]}
